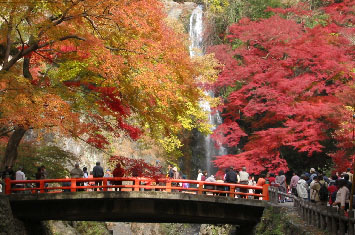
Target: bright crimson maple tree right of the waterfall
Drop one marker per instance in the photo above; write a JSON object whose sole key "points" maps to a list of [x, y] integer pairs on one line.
{"points": [[280, 84]]}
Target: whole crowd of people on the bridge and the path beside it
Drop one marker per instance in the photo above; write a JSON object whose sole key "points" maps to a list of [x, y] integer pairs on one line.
{"points": [[313, 186]]}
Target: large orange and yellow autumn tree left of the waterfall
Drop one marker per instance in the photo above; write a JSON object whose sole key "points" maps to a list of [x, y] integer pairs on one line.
{"points": [[86, 67]]}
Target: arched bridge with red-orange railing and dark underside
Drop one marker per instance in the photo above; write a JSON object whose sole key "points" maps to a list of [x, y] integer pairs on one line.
{"points": [[139, 200]]}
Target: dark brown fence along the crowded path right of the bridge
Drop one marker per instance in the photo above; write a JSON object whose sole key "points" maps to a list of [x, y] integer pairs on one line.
{"points": [[325, 217]]}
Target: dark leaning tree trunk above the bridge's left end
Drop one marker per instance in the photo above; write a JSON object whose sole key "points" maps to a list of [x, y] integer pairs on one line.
{"points": [[11, 148]]}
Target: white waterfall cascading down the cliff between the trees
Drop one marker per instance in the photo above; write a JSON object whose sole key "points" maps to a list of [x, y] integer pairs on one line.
{"points": [[196, 48]]}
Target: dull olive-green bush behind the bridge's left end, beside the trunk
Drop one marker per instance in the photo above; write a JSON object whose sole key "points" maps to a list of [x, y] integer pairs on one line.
{"points": [[53, 158]]}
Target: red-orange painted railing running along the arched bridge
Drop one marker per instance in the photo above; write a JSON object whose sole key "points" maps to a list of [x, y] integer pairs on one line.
{"points": [[131, 184]]}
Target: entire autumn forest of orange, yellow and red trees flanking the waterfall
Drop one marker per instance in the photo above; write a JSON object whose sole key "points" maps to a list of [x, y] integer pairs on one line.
{"points": [[283, 73]]}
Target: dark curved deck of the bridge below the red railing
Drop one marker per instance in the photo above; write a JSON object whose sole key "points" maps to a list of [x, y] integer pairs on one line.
{"points": [[150, 206]]}
